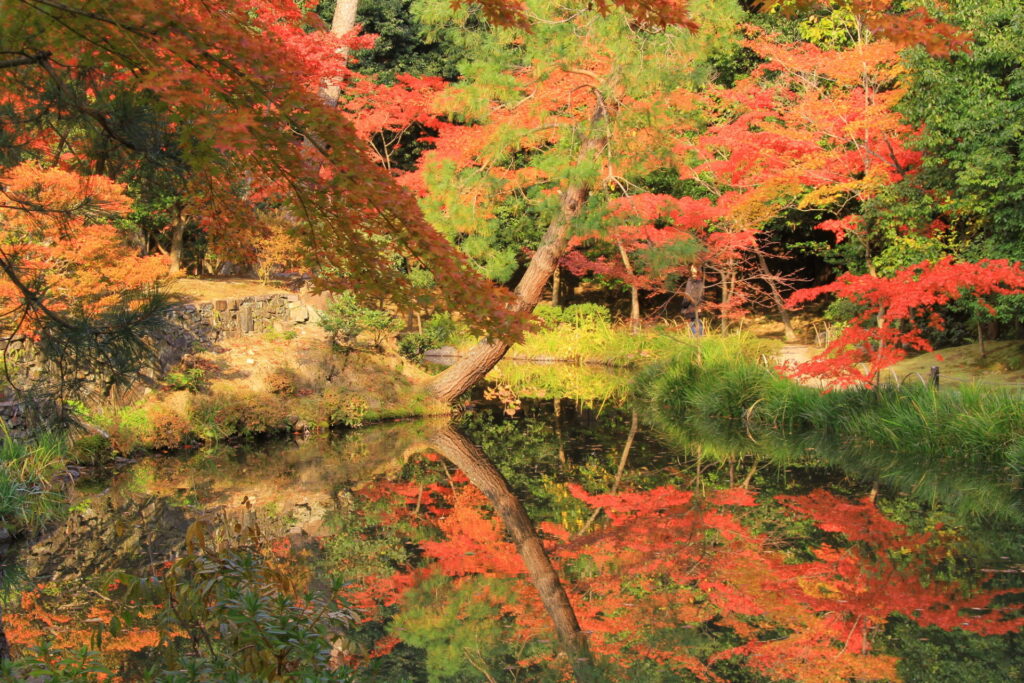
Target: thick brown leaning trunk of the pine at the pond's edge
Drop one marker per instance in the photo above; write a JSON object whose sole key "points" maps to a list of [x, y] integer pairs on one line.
{"points": [[471, 369]]}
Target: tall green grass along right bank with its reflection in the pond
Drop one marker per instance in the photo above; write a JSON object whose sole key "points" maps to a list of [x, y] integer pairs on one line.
{"points": [[963, 448]]}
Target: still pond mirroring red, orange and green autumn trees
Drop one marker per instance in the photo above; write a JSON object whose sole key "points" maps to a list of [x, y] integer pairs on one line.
{"points": [[536, 539]]}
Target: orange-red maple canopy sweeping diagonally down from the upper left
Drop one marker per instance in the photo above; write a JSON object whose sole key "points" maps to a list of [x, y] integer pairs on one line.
{"points": [[236, 89]]}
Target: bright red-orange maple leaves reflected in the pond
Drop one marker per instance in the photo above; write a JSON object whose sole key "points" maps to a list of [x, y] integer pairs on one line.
{"points": [[667, 563]]}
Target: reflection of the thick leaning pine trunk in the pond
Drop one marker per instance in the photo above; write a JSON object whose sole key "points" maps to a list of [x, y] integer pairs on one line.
{"points": [[486, 477]]}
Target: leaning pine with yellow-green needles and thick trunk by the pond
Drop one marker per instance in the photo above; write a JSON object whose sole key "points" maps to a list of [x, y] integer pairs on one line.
{"points": [[560, 115]]}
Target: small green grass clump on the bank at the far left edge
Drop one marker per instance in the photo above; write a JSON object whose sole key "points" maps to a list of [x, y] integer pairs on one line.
{"points": [[29, 499]]}
